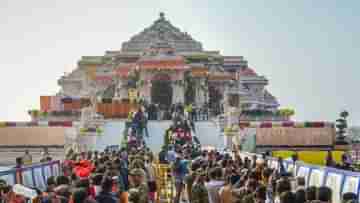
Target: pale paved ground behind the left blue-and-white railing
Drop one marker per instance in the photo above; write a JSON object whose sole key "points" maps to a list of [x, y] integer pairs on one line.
{"points": [[8, 155]]}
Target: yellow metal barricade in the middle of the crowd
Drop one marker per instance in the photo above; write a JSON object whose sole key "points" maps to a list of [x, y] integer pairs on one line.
{"points": [[165, 182]]}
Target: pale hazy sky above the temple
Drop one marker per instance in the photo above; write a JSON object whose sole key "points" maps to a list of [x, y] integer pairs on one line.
{"points": [[309, 50]]}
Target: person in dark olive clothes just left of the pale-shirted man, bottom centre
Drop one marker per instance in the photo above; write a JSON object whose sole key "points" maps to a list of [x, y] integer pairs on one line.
{"points": [[199, 191]]}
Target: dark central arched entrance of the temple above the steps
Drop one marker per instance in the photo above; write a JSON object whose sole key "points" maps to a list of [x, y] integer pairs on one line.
{"points": [[161, 90]]}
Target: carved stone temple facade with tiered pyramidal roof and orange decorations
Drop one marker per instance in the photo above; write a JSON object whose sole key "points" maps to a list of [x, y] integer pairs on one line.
{"points": [[164, 65]]}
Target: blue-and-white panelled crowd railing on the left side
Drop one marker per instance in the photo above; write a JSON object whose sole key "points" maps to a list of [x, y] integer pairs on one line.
{"points": [[32, 176]]}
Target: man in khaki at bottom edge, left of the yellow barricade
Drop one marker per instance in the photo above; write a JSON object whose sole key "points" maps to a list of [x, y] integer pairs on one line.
{"points": [[138, 193]]}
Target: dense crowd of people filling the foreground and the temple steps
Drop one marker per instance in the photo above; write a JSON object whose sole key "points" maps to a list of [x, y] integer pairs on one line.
{"points": [[130, 174]]}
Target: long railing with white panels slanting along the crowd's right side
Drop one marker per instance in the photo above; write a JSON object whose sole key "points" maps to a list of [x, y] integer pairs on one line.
{"points": [[340, 181]]}
